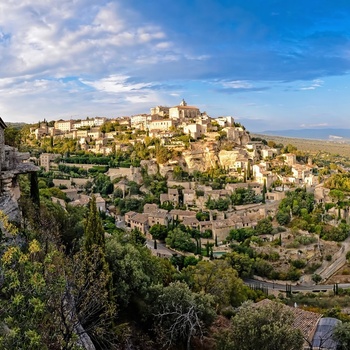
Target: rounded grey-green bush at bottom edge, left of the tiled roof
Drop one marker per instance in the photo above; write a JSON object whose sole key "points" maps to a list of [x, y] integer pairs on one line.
{"points": [[264, 327]]}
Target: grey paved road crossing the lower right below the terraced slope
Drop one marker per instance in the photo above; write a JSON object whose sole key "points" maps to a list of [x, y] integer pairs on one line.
{"points": [[300, 288]]}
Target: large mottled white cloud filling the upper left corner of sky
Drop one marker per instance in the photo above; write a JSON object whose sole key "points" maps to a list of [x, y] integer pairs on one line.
{"points": [[48, 37]]}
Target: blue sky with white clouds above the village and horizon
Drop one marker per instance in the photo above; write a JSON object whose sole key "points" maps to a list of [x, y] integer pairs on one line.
{"points": [[270, 64]]}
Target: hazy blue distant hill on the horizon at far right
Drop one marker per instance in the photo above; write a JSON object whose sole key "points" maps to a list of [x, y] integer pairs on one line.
{"points": [[316, 134]]}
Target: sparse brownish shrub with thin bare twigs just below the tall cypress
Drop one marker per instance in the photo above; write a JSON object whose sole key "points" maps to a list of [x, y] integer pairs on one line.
{"points": [[89, 297]]}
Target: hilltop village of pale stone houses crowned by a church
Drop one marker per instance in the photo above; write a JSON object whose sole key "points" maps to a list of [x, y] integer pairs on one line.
{"points": [[189, 142]]}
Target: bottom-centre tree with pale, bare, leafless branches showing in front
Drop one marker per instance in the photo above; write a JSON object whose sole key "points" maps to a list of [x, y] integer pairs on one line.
{"points": [[180, 314]]}
